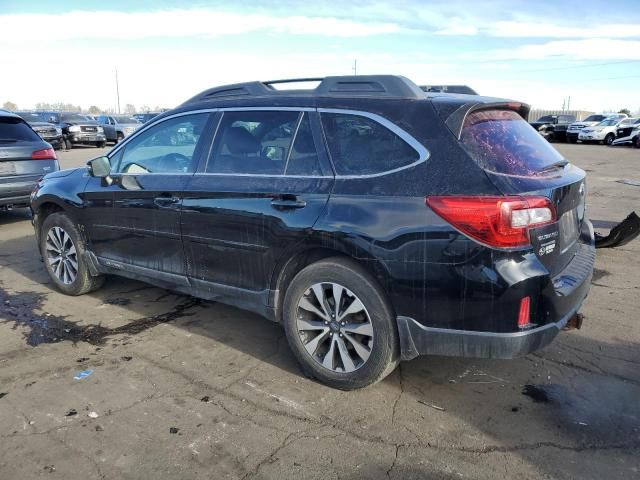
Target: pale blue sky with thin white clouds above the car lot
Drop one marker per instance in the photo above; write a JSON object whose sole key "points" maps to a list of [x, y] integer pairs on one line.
{"points": [[540, 52]]}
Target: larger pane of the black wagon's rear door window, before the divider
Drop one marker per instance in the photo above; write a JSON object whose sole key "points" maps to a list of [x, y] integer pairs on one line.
{"points": [[257, 142]]}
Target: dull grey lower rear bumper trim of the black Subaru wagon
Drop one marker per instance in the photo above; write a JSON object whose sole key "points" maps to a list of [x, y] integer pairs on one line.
{"points": [[417, 339]]}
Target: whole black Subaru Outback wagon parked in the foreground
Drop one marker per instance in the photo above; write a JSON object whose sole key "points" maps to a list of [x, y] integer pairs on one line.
{"points": [[374, 220]]}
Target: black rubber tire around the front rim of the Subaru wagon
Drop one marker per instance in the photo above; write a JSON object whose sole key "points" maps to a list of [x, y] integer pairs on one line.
{"points": [[84, 282]]}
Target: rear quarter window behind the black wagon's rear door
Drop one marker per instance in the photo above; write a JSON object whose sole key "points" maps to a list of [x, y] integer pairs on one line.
{"points": [[360, 146]]}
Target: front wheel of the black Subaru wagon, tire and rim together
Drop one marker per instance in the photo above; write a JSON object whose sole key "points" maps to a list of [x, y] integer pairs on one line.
{"points": [[63, 252]]}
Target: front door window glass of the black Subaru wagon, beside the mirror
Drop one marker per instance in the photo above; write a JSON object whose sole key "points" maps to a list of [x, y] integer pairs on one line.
{"points": [[168, 147]]}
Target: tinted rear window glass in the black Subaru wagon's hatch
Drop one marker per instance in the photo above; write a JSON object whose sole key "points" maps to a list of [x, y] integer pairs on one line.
{"points": [[502, 142]]}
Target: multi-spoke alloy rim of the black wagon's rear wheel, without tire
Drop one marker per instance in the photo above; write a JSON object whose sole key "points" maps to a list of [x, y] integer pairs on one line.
{"points": [[334, 327]]}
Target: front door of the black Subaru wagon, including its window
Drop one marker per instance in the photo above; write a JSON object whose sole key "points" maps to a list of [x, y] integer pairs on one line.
{"points": [[136, 212]]}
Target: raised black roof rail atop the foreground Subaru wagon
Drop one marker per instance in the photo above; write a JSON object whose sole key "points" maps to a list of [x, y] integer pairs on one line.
{"points": [[394, 86]]}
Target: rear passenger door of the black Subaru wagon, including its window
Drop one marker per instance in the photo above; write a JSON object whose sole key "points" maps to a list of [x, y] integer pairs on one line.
{"points": [[263, 187]]}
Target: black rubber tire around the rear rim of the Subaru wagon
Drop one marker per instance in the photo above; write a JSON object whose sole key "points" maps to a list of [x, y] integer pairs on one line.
{"points": [[384, 354]]}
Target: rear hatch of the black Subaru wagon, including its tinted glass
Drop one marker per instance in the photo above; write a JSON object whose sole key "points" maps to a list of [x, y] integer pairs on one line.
{"points": [[521, 163]]}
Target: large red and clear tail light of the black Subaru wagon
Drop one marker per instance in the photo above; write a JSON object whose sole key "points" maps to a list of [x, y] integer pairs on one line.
{"points": [[500, 222]]}
